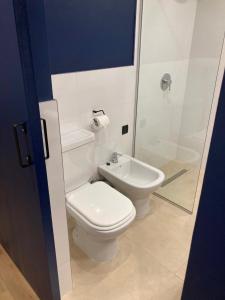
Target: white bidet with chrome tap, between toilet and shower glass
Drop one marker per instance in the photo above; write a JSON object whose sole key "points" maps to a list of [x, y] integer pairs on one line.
{"points": [[134, 179]]}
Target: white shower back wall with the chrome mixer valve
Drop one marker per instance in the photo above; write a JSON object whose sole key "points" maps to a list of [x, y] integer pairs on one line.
{"points": [[167, 32]]}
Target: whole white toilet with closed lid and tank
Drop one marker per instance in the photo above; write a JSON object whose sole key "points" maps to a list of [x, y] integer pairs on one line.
{"points": [[101, 212]]}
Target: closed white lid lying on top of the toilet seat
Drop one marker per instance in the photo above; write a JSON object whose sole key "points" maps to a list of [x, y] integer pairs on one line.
{"points": [[100, 204]]}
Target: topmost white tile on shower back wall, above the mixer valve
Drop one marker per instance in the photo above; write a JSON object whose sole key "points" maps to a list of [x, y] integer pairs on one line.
{"points": [[167, 30]]}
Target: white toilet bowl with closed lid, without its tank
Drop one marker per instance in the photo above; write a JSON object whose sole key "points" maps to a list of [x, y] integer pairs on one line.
{"points": [[101, 215]]}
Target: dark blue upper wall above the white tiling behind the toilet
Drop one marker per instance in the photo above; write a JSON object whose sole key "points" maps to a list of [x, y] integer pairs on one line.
{"points": [[90, 34]]}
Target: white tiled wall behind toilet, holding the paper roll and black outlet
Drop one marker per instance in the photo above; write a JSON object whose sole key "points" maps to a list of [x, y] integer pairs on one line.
{"points": [[110, 89]]}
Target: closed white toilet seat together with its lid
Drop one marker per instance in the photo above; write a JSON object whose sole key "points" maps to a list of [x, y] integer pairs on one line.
{"points": [[100, 208]]}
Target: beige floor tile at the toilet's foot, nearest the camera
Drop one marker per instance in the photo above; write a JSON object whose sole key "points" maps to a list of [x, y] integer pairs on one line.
{"points": [[135, 274]]}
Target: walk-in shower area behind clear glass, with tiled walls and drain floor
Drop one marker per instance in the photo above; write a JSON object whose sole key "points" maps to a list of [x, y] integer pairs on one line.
{"points": [[180, 48]]}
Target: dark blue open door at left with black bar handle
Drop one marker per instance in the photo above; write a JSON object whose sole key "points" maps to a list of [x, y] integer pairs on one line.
{"points": [[25, 218]]}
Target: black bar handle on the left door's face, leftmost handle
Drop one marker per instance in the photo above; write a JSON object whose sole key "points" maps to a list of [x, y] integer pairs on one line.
{"points": [[20, 133]]}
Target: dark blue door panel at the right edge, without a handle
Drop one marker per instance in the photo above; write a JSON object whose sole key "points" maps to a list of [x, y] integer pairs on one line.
{"points": [[205, 278]]}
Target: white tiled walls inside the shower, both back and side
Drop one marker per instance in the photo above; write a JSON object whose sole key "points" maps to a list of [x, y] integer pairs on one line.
{"points": [[183, 38]]}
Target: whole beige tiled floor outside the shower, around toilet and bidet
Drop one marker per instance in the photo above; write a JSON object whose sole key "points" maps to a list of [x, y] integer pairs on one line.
{"points": [[150, 265]]}
